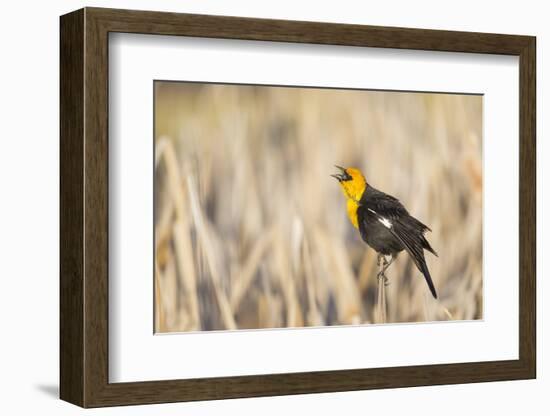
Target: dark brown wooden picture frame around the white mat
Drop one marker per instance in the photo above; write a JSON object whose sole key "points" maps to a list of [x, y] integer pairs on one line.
{"points": [[84, 207]]}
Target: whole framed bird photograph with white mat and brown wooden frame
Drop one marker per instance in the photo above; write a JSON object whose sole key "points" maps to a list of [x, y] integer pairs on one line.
{"points": [[255, 207]]}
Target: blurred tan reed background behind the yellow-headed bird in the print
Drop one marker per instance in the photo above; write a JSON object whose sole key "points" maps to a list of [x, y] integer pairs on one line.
{"points": [[252, 232]]}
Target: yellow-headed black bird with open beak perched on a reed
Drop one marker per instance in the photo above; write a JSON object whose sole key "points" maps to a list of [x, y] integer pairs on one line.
{"points": [[384, 223]]}
